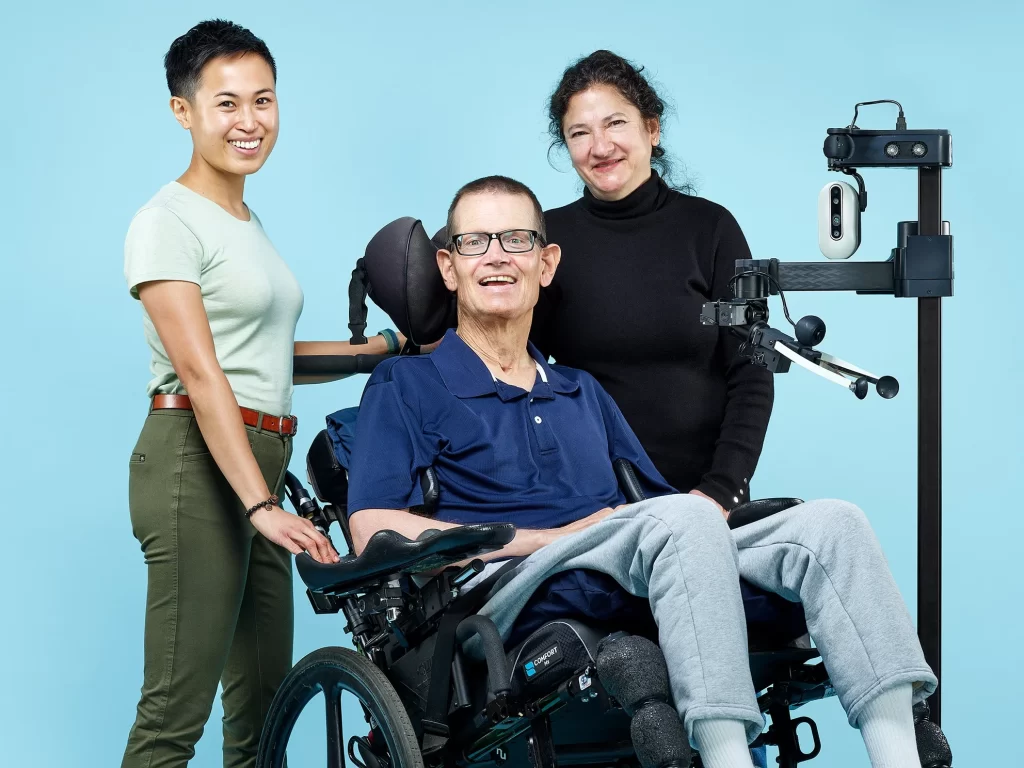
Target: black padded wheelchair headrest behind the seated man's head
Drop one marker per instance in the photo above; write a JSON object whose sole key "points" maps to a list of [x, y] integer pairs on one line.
{"points": [[405, 282]]}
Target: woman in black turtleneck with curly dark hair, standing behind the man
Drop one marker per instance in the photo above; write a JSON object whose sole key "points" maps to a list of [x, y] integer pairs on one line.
{"points": [[639, 260]]}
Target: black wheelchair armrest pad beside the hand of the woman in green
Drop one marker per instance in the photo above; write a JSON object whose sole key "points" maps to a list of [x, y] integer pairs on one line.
{"points": [[389, 553]]}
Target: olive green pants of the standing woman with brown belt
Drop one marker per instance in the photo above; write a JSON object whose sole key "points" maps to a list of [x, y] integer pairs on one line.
{"points": [[220, 603]]}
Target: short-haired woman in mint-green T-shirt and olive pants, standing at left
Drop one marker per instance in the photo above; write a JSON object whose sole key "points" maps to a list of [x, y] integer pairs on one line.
{"points": [[221, 308]]}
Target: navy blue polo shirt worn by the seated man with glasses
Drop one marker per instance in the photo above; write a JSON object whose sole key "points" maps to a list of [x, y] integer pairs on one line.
{"points": [[537, 459]]}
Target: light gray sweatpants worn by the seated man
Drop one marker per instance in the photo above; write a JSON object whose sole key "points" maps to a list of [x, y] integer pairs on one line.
{"points": [[679, 552]]}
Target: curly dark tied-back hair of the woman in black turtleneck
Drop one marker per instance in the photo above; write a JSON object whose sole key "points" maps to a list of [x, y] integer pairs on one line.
{"points": [[606, 68]]}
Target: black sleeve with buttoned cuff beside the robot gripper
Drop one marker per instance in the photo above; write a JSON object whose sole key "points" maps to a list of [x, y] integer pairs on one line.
{"points": [[750, 389]]}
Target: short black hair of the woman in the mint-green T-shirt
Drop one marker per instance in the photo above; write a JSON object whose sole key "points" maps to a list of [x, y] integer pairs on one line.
{"points": [[204, 42]]}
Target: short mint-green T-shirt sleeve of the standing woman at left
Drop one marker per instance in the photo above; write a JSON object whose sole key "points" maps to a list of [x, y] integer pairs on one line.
{"points": [[159, 246]]}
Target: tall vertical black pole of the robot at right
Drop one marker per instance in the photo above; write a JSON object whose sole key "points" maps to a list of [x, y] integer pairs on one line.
{"points": [[930, 444]]}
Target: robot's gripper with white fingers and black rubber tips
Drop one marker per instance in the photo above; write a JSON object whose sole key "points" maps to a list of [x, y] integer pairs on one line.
{"points": [[776, 351]]}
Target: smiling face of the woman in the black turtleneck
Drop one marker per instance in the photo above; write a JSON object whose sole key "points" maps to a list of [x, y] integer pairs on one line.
{"points": [[610, 142]]}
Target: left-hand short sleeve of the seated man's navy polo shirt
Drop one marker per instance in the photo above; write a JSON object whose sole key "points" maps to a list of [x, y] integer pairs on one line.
{"points": [[389, 455]]}
